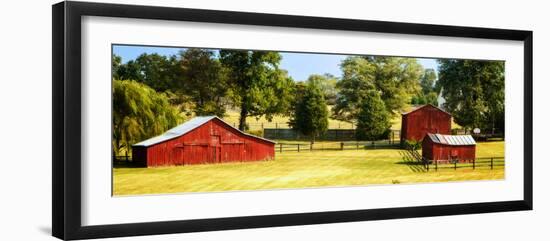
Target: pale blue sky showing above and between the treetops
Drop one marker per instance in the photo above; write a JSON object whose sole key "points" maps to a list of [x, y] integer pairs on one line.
{"points": [[298, 65]]}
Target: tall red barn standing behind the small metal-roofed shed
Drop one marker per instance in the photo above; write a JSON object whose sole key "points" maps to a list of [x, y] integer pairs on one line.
{"points": [[422, 120]]}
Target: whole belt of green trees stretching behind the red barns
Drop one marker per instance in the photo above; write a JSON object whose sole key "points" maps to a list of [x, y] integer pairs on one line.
{"points": [[153, 92]]}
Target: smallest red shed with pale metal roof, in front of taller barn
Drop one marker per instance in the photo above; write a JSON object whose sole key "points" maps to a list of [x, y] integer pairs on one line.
{"points": [[444, 148]]}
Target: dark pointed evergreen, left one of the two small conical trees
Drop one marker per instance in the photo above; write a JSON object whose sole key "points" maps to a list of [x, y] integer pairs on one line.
{"points": [[310, 115]]}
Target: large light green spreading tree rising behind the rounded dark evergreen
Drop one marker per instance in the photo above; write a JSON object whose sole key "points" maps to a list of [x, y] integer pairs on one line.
{"points": [[396, 79]]}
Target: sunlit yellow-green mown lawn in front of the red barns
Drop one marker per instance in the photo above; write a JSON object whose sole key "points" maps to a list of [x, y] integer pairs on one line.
{"points": [[299, 170]]}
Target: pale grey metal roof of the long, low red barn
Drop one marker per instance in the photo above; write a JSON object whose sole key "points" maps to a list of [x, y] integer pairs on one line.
{"points": [[186, 127]]}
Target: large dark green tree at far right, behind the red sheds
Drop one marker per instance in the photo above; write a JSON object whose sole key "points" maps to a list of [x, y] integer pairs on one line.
{"points": [[474, 92]]}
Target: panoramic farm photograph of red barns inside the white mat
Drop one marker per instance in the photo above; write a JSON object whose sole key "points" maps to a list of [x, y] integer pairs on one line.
{"points": [[188, 120]]}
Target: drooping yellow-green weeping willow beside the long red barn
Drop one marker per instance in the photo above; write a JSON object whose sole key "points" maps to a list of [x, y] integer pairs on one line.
{"points": [[139, 112]]}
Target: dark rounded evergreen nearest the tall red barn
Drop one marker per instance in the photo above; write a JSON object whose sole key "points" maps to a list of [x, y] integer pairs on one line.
{"points": [[373, 119]]}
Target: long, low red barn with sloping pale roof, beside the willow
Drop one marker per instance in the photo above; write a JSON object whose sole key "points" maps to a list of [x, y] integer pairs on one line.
{"points": [[200, 140]]}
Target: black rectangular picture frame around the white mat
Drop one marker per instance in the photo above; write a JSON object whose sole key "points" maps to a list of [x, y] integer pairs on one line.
{"points": [[66, 48]]}
